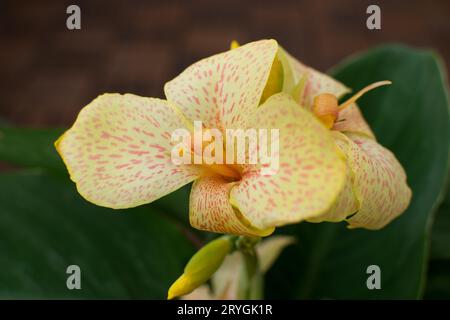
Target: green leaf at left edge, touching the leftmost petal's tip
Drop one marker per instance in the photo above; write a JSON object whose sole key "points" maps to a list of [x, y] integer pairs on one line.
{"points": [[31, 148]]}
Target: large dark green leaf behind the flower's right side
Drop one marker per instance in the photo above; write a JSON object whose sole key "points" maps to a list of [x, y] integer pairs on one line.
{"points": [[411, 118]]}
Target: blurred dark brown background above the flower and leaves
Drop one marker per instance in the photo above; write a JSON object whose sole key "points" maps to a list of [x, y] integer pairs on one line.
{"points": [[49, 72]]}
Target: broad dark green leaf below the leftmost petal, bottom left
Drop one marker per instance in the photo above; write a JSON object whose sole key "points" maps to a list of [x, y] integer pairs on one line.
{"points": [[45, 226]]}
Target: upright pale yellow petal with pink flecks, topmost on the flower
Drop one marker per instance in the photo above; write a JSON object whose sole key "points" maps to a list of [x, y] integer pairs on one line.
{"points": [[224, 89]]}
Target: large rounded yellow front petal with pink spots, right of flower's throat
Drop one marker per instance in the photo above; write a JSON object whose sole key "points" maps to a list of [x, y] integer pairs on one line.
{"points": [[312, 169]]}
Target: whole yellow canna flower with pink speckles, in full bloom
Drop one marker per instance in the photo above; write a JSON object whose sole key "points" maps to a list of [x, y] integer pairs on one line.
{"points": [[118, 152]]}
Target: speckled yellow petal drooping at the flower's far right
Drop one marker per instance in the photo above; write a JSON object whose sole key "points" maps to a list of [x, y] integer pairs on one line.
{"points": [[379, 182]]}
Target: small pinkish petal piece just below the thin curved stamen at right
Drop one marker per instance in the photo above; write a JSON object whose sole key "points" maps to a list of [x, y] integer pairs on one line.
{"points": [[351, 120]]}
